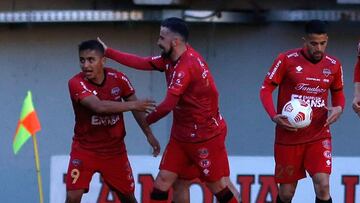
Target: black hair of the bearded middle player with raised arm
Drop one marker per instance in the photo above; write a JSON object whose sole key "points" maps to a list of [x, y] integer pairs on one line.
{"points": [[178, 26]]}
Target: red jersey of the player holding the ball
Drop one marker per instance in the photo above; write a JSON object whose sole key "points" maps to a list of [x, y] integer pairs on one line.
{"points": [[297, 77]]}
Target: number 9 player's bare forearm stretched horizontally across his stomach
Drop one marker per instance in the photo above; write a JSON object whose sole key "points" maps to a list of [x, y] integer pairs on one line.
{"points": [[103, 106]]}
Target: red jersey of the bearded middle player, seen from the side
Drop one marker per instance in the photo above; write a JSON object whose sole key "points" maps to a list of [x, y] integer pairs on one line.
{"points": [[196, 116]]}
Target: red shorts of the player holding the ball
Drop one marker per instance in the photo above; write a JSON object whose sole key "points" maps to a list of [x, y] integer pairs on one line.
{"points": [[293, 160]]}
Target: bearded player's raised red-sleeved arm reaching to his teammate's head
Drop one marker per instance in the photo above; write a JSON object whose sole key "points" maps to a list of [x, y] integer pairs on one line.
{"points": [[130, 60]]}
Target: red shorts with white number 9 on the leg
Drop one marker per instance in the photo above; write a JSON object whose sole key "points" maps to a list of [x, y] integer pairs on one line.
{"points": [[115, 171]]}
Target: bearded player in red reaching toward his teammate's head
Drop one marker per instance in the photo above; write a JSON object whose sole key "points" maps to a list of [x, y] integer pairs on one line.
{"points": [[198, 131]]}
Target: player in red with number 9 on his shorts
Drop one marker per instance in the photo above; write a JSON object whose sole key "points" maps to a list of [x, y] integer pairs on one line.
{"points": [[97, 95]]}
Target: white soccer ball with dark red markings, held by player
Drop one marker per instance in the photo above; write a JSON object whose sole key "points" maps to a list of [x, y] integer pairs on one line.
{"points": [[298, 112]]}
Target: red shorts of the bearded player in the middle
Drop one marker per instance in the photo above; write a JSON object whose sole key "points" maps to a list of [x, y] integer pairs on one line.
{"points": [[206, 160]]}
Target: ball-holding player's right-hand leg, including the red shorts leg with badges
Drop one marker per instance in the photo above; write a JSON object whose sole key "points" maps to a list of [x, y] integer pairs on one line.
{"points": [[318, 164]]}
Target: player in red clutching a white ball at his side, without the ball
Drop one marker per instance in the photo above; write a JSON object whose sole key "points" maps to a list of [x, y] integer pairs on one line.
{"points": [[309, 74]]}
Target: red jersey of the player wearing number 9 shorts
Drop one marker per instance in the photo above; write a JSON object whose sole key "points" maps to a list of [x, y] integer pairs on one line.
{"points": [[100, 133]]}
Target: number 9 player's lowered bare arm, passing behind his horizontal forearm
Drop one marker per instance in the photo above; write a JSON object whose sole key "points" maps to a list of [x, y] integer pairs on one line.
{"points": [[140, 119]]}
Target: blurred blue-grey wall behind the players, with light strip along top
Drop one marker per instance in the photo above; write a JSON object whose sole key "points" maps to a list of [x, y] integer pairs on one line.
{"points": [[239, 39]]}
